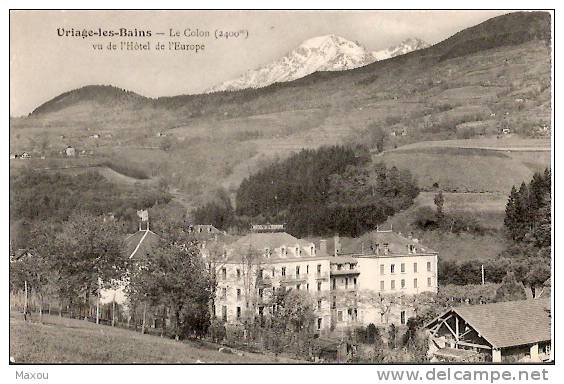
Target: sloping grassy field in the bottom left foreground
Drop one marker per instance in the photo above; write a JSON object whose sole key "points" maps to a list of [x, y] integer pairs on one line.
{"points": [[62, 340]]}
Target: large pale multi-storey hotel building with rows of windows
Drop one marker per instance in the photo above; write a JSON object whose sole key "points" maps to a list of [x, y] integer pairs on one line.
{"points": [[370, 281]]}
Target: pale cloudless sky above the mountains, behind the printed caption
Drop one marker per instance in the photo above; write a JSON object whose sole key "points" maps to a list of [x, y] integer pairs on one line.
{"points": [[44, 64]]}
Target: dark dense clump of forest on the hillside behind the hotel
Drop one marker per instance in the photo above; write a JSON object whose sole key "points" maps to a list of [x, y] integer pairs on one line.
{"points": [[318, 192]]}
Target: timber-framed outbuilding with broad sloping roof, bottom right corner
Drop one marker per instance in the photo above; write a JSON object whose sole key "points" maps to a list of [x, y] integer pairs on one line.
{"points": [[512, 331]]}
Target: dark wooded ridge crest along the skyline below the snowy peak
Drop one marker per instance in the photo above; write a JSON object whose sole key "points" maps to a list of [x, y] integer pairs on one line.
{"points": [[505, 30]]}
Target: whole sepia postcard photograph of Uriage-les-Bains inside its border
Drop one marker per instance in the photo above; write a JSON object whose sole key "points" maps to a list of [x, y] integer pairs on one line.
{"points": [[293, 187]]}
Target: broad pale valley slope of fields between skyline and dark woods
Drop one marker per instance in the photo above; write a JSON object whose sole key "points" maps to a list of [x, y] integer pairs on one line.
{"points": [[486, 78]]}
